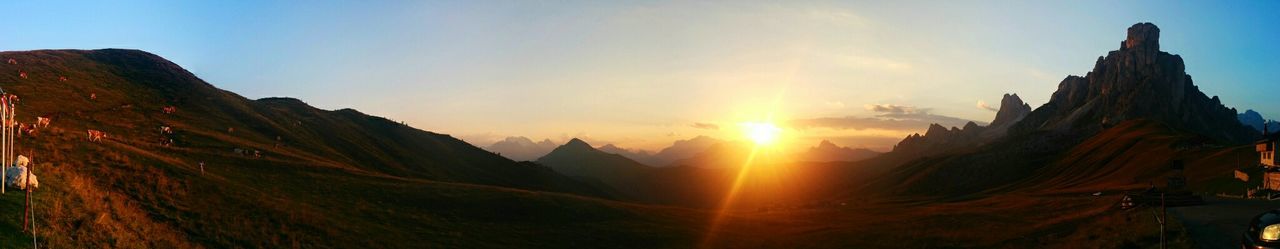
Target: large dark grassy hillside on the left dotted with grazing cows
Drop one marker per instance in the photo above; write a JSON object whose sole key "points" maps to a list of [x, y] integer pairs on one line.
{"points": [[340, 179]]}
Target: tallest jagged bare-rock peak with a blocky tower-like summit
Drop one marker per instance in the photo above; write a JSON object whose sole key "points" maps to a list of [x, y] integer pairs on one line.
{"points": [[1136, 82]]}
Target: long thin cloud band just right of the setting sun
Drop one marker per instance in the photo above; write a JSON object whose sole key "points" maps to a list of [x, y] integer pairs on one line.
{"points": [[890, 118]]}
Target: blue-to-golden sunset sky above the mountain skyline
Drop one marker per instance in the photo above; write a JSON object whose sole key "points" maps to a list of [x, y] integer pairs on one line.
{"points": [[641, 75]]}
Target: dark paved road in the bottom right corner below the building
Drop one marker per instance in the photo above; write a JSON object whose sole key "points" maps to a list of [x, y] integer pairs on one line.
{"points": [[1220, 223]]}
